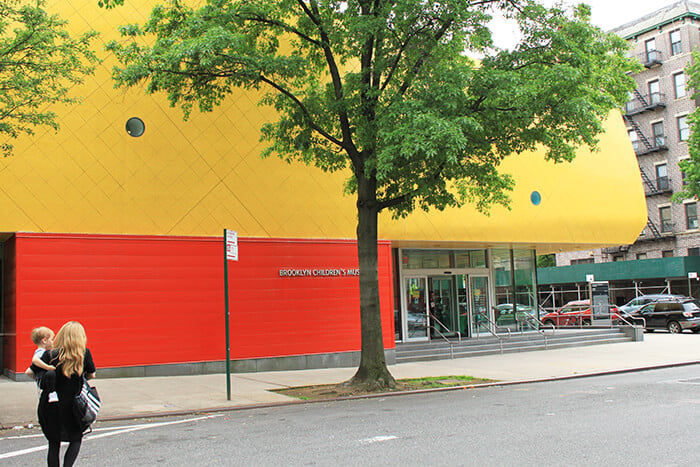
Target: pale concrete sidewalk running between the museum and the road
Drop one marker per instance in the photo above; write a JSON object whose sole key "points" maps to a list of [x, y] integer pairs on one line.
{"points": [[136, 397]]}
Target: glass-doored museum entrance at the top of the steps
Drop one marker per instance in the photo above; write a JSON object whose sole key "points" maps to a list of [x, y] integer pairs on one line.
{"points": [[464, 293]]}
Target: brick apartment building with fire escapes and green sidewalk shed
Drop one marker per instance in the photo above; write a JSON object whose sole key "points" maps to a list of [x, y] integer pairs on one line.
{"points": [[656, 121]]}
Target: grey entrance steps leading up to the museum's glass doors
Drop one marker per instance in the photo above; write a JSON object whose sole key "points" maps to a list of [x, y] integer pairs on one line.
{"points": [[439, 349]]}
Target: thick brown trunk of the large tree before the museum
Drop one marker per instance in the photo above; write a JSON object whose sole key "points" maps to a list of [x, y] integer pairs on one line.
{"points": [[372, 373]]}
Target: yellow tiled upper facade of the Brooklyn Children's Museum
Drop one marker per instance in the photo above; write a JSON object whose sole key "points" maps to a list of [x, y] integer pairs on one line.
{"points": [[195, 178]]}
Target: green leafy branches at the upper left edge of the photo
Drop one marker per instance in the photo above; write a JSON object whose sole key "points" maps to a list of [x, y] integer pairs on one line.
{"points": [[39, 62]]}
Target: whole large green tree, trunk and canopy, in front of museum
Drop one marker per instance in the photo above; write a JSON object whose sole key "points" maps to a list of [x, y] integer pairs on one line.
{"points": [[386, 90]]}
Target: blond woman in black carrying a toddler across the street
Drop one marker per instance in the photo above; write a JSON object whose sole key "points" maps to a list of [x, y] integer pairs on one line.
{"points": [[72, 360]]}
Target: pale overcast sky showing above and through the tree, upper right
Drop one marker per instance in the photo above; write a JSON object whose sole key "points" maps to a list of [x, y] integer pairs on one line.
{"points": [[606, 14]]}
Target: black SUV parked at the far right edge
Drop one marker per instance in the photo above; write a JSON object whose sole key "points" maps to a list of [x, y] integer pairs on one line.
{"points": [[674, 315]]}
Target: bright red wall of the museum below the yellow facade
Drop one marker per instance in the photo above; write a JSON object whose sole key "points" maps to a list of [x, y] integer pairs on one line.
{"points": [[158, 300]]}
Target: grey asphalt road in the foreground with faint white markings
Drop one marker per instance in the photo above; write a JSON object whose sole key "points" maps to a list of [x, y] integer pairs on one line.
{"points": [[644, 418]]}
